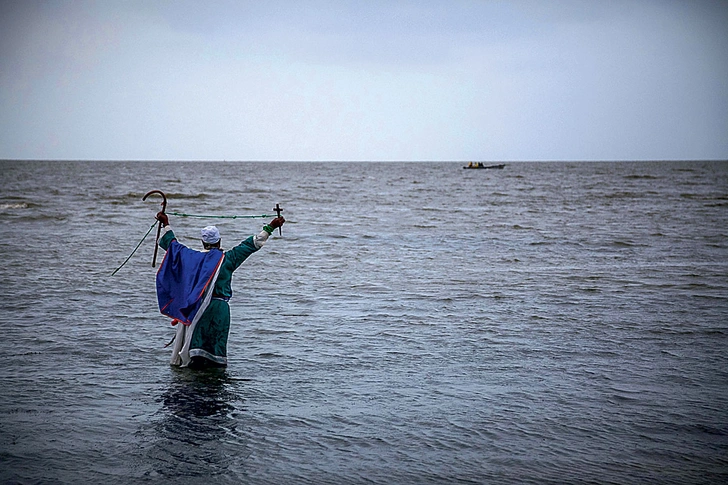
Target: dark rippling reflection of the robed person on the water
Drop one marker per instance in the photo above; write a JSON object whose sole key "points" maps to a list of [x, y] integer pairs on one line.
{"points": [[195, 420]]}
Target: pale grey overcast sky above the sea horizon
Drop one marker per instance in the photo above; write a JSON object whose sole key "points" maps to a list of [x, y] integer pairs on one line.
{"points": [[364, 80]]}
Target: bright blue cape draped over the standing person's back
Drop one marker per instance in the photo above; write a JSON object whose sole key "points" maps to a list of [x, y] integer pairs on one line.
{"points": [[183, 279]]}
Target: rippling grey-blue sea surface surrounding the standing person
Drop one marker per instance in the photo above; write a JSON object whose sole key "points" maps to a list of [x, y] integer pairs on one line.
{"points": [[414, 323]]}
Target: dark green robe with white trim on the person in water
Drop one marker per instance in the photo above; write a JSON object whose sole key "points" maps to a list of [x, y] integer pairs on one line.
{"points": [[209, 335]]}
